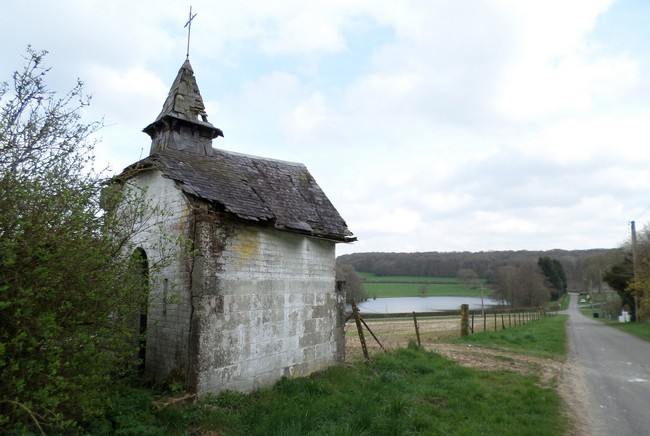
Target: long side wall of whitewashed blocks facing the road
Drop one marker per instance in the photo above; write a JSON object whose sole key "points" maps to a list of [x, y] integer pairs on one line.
{"points": [[266, 307]]}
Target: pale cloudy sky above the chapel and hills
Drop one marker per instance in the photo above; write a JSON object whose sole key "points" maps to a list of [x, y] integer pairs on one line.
{"points": [[431, 125]]}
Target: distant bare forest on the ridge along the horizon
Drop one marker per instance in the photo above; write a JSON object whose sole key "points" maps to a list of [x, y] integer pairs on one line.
{"points": [[584, 268]]}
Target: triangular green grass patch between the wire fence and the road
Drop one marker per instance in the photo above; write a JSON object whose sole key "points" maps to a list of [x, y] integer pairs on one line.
{"points": [[545, 337]]}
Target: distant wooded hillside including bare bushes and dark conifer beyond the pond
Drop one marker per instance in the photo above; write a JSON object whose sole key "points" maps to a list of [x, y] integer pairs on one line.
{"points": [[517, 278]]}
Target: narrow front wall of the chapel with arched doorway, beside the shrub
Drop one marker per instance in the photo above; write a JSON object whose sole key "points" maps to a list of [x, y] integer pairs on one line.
{"points": [[161, 233]]}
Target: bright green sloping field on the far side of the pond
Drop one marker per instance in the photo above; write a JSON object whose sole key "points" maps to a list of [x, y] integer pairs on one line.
{"points": [[411, 286]]}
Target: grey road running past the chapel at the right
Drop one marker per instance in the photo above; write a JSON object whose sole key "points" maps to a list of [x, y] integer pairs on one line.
{"points": [[607, 378]]}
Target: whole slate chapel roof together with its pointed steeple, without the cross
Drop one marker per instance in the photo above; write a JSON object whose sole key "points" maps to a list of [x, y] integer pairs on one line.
{"points": [[268, 191]]}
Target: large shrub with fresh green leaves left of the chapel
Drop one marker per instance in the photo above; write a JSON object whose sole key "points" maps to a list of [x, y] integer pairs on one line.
{"points": [[66, 297]]}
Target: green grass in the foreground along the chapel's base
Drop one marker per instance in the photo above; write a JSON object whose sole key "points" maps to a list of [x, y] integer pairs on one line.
{"points": [[409, 391]]}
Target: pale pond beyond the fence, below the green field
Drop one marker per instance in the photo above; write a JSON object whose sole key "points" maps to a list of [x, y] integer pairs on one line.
{"points": [[422, 304]]}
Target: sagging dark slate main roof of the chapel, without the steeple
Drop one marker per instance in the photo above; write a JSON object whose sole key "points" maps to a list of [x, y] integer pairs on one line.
{"points": [[267, 191]]}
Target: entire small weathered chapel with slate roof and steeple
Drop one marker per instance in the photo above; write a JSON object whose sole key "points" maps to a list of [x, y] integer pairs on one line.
{"points": [[253, 299]]}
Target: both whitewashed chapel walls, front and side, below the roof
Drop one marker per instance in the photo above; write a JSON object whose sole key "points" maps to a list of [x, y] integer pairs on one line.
{"points": [[255, 304]]}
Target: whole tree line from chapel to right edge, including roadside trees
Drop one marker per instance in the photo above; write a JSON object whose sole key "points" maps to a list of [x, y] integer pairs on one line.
{"points": [[523, 278]]}
